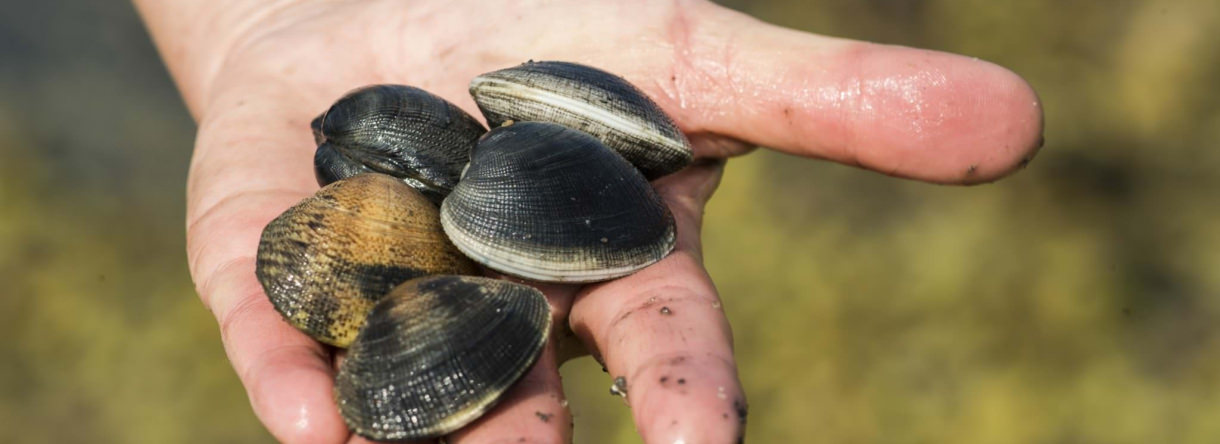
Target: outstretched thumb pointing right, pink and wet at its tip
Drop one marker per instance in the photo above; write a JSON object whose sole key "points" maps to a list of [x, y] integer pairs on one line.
{"points": [[902, 112]]}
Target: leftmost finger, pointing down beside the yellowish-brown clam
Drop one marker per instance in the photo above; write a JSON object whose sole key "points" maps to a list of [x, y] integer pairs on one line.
{"points": [[287, 376]]}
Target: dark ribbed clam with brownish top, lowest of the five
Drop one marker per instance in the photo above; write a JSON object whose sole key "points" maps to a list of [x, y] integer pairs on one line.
{"points": [[437, 353]]}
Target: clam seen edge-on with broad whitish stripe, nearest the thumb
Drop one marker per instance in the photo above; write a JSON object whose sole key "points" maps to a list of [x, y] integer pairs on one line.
{"points": [[591, 101]]}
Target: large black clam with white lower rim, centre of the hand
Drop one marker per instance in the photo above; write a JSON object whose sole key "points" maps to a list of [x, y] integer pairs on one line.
{"points": [[548, 203]]}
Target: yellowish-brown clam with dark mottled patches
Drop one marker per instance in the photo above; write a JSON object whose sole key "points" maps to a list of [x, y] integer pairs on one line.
{"points": [[329, 259]]}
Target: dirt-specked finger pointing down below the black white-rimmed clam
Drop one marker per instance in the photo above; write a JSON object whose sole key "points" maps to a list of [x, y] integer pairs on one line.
{"points": [[664, 334]]}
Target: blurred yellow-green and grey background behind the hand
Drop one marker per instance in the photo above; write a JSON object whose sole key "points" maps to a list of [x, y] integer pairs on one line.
{"points": [[1072, 303]]}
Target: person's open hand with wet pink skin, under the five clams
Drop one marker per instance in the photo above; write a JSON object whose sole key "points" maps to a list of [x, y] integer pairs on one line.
{"points": [[256, 74]]}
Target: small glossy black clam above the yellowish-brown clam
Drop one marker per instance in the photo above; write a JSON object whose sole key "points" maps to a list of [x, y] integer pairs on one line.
{"points": [[400, 131]]}
